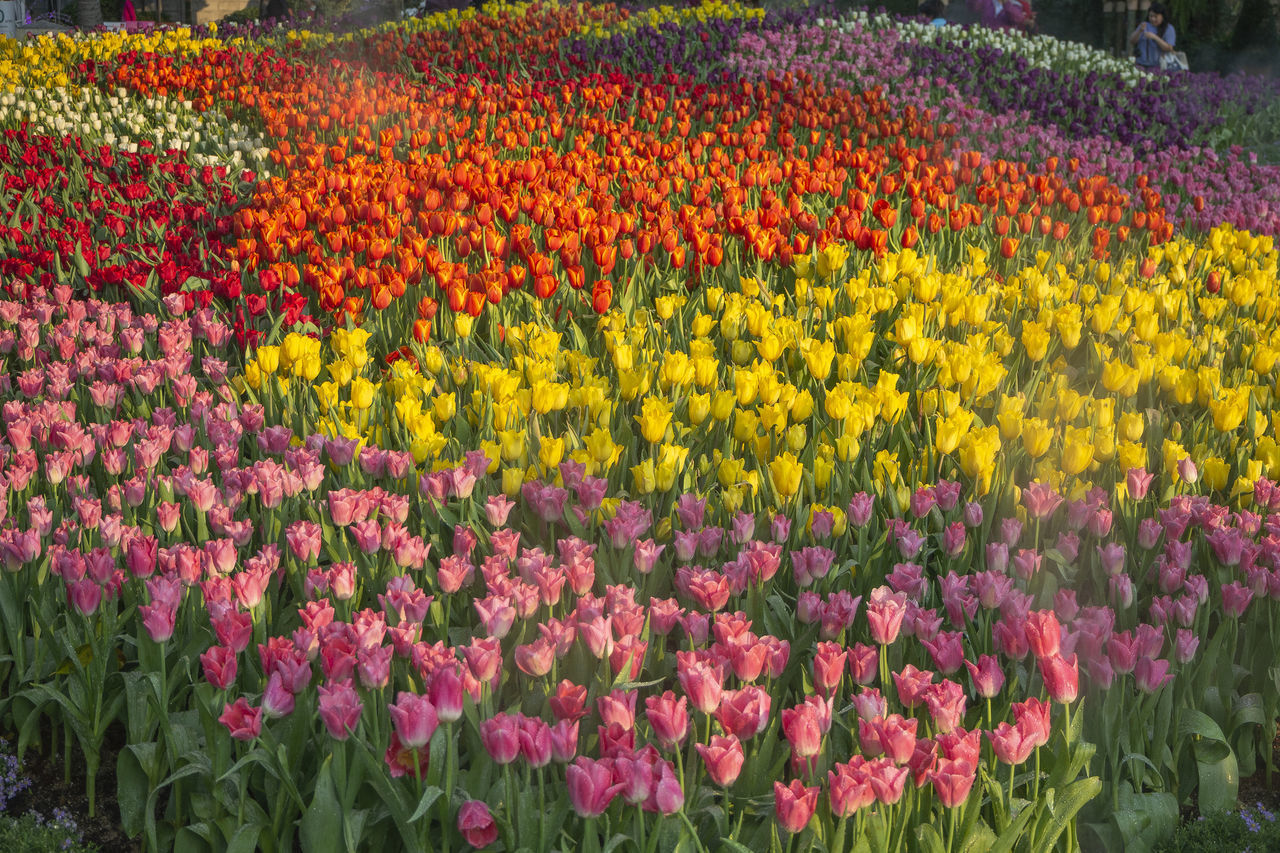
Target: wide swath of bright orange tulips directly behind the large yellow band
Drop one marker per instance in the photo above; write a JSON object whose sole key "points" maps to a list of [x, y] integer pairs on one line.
{"points": [[729, 179]]}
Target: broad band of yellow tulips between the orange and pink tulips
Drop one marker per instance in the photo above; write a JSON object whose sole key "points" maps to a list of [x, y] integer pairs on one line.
{"points": [[826, 381]]}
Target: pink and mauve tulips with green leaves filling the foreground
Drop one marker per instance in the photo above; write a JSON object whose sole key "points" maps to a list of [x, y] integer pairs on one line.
{"points": [[158, 531]]}
